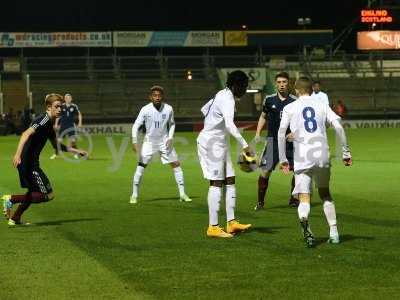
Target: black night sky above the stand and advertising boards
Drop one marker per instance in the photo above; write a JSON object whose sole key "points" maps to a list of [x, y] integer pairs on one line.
{"points": [[189, 15]]}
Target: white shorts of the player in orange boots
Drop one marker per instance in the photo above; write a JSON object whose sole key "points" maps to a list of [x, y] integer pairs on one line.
{"points": [[215, 159]]}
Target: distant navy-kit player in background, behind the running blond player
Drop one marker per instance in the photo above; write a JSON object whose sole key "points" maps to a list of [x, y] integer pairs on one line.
{"points": [[65, 124]]}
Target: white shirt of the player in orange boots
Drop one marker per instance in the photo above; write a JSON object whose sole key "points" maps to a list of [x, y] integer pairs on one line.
{"points": [[218, 117]]}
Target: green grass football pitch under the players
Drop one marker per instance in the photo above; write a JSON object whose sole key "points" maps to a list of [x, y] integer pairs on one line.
{"points": [[90, 243]]}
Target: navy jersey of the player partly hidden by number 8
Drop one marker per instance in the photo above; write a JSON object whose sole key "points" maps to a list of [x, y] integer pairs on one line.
{"points": [[273, 107]]}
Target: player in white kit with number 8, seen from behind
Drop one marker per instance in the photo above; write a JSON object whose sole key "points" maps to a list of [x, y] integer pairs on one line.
{"points": [[307, 118]]}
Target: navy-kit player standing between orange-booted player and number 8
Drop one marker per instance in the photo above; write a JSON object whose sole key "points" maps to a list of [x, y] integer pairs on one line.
{"points": [[272, 112]]}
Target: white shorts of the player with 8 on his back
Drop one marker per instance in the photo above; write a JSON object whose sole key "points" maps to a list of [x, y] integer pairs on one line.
{"points": [[304, 178]]}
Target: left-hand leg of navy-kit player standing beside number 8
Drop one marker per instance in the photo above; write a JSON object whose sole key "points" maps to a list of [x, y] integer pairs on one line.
{"points": [[267, 165]]}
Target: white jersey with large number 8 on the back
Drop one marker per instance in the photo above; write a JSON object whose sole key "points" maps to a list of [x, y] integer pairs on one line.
{"points": [[307, 118]]}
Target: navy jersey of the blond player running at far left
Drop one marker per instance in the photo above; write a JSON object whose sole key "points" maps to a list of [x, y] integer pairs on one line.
{"points": [[44, 130]]}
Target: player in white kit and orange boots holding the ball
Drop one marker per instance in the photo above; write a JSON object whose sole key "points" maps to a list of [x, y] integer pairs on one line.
{"points": [[214, 154]]}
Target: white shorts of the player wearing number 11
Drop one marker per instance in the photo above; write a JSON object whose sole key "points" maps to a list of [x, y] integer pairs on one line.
{"points": [[168, 155]]}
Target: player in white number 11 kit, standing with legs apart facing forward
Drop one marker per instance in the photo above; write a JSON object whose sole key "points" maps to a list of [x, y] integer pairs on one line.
{"points": [[158, 119]]}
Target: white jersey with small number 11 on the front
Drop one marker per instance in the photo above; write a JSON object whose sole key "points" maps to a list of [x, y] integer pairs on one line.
{"points": [[156, 122]]}
